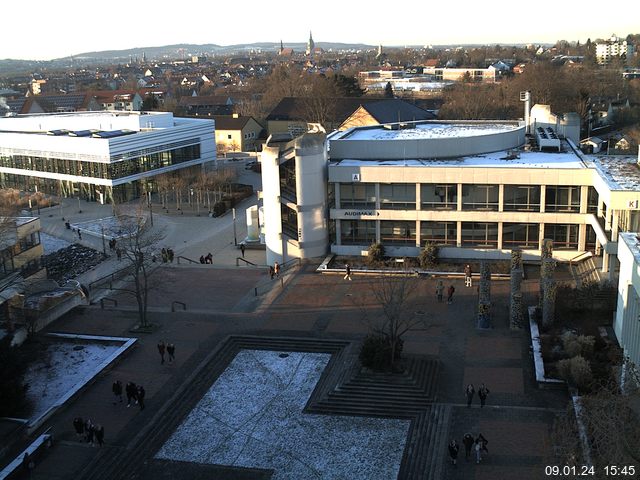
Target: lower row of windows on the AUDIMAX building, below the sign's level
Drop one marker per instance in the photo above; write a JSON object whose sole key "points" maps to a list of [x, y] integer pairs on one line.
{"points": [[474, 234]]}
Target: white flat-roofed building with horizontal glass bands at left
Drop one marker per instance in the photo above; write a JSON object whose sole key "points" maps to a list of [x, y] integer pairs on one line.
{"points": [[100, 155]]}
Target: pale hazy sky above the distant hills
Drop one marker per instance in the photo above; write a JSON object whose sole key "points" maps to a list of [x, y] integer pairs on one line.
{"points": [[47, 29]]}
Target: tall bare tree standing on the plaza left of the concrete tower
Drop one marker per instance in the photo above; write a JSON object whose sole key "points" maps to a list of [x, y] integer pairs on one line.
{"points": [[138, 244]]}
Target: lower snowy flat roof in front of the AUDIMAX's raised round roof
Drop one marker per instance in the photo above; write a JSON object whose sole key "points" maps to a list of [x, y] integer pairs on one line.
{"points": [[565, 159]]}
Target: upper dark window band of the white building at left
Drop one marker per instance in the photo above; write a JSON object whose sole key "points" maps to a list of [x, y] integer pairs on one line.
{"points": [[113, 170]]}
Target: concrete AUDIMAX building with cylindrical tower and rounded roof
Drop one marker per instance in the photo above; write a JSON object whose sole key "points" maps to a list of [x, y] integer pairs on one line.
{"points": [[476, 189]]}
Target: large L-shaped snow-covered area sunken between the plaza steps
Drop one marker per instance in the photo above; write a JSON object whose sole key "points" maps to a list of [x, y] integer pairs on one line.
{"points": [[252, 417]]}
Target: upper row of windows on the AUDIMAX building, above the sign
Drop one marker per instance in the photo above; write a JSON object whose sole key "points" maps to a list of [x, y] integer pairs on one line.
{"points": [[517, 198]]}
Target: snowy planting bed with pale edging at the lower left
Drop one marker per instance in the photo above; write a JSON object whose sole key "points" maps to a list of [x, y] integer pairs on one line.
{"points": [[60, 369]]}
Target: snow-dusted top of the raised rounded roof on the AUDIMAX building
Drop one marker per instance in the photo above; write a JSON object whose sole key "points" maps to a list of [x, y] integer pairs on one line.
{"points": [[429, 130]]}
